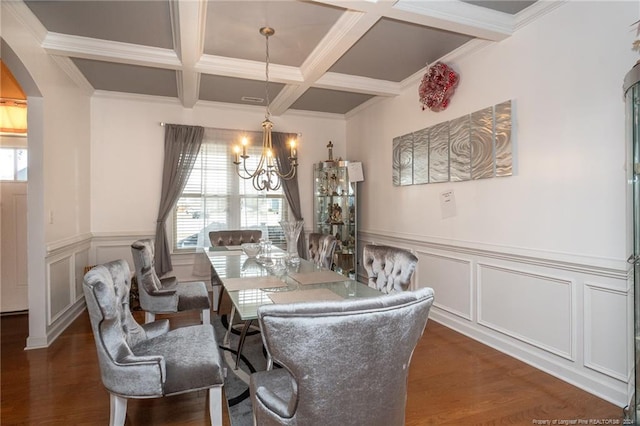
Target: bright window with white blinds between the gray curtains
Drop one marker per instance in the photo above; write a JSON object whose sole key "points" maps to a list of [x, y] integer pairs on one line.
{"points": [[216, 198]]}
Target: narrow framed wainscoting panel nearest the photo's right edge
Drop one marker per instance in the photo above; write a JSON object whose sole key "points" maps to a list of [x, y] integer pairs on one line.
{"points": [[605, 327]]}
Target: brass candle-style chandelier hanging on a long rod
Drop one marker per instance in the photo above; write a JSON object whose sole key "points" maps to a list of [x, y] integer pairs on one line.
{"points": [[267, 175]]}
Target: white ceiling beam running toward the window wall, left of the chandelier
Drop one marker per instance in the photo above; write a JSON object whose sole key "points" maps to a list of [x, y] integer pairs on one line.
{"points": [[188, 27]]}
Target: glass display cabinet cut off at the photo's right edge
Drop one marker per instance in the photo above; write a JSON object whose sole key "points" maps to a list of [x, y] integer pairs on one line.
{"points": [[632, 101]]}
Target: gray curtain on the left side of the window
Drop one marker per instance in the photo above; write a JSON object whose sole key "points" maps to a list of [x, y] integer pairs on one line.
{"points": [[181, 147]]}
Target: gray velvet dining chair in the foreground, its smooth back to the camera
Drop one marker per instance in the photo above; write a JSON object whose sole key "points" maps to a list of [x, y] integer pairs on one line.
{"points": [[343, 362]]}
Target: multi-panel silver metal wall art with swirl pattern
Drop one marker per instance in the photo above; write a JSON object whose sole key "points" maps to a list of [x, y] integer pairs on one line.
{"points": [[475, 146]]}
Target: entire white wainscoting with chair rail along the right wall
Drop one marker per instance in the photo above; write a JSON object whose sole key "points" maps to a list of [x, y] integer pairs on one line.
{"points": [[566, 314]]}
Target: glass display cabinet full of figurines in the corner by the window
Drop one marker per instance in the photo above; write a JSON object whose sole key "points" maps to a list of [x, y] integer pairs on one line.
{"points": [[335, 212]]}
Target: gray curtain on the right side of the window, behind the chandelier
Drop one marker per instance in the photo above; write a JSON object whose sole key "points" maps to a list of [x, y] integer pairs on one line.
{"points": [[289, 187]]}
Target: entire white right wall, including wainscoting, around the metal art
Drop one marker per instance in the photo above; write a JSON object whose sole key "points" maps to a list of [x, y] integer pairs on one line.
{"points": [[533, 264]]}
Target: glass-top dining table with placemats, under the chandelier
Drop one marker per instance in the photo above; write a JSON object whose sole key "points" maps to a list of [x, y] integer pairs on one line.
{"points": [[251, 283]]}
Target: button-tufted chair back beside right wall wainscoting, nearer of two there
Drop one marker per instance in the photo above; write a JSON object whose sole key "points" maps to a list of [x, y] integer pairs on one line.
{"points": [[389, 269]]}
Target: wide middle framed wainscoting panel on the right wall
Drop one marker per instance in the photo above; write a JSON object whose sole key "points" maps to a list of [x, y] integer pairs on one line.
{"points": [[533, 308]]}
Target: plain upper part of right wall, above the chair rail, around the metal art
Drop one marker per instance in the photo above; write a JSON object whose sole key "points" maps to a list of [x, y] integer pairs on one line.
{"points": [[564, 74]]}
